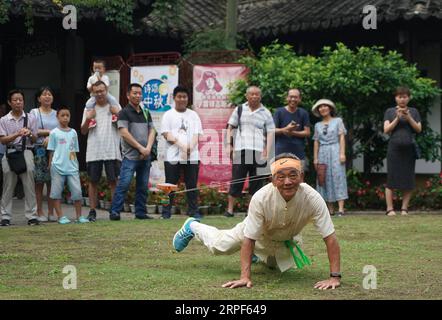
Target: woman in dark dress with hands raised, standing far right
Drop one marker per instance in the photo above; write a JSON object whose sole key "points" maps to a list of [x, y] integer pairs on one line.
{"points": [[401, 123]]}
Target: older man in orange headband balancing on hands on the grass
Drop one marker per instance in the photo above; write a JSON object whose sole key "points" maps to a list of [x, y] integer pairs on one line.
{"points": [[277, 213]]}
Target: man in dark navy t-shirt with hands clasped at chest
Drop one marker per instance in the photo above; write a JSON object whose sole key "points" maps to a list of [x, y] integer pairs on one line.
{"points": [[292, 126]]}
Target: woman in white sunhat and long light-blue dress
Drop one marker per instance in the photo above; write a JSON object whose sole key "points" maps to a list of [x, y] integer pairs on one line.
{"points": [[329, 149]]}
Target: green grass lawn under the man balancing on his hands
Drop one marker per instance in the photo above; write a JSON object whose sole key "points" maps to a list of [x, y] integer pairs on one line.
{"points": [[135, 260]]}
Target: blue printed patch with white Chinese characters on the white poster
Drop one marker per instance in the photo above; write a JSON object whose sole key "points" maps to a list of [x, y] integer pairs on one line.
{"points": [[156, 94]]}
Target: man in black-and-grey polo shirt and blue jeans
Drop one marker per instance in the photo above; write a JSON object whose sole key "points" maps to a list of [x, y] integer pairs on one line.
{"points": [[138, 134]]}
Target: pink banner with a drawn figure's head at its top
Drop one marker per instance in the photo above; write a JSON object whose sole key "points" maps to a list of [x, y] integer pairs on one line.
{"points": [[210, 90]]}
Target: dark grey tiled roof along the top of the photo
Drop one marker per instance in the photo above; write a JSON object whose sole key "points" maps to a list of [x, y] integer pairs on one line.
{"points": [[261, 18]]}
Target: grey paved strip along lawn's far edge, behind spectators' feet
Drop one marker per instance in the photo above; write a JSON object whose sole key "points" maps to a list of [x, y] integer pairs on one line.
{"points": [[18, 217]]}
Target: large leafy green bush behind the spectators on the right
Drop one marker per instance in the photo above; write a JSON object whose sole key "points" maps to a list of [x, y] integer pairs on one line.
{"points": [[361, 82]]}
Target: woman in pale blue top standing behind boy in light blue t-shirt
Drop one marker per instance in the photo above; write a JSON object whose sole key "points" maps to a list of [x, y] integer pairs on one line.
{"points": [[46, 120]]}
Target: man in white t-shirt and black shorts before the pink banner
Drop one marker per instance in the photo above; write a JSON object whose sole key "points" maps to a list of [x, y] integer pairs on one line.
{"points": [[181, 127]]}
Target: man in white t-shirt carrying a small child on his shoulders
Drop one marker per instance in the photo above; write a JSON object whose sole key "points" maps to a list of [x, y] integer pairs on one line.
{"points": [[103, 145]]}
